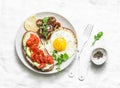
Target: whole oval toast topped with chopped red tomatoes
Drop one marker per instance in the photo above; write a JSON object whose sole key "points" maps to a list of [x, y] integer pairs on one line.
{"points": [[35, 53]]}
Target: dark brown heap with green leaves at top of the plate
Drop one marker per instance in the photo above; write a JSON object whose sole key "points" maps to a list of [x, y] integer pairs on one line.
{"points": [[46, 26]]}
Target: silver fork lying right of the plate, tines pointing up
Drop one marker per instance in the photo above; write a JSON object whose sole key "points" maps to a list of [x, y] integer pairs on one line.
{"points": [[85, 38]]}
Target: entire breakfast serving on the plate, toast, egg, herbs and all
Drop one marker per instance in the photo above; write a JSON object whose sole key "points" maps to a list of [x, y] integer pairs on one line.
{"points": [[46, 44]]}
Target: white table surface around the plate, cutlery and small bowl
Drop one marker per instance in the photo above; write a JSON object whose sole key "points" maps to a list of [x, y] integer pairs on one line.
{"points": [[103, 14]]}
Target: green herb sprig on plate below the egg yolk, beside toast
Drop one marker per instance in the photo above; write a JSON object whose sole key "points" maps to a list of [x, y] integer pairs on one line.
{"points": [[59, 59]]}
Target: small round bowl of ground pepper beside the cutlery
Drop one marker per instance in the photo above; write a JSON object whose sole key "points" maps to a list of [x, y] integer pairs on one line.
{"points": [[99, 56]]}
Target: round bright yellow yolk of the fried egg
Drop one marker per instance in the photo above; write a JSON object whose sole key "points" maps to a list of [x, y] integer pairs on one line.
{"points": [[59, 44]]}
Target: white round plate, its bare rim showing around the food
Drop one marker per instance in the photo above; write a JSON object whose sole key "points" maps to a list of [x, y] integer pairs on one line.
{"points": [[18, 41]]}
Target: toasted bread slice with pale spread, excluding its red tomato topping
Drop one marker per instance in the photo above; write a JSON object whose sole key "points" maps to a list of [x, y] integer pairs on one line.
{"points": [[27, 53]]}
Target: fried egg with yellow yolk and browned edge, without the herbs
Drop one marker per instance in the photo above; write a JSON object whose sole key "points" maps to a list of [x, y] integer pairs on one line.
{"points": [[63, 40]]}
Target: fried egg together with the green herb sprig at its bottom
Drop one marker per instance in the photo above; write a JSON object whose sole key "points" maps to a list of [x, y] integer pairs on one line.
{"points": [[61, 45]]}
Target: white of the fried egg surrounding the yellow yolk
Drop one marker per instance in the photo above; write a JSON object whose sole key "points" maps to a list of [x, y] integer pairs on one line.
{"points": [[70, 38]]}
